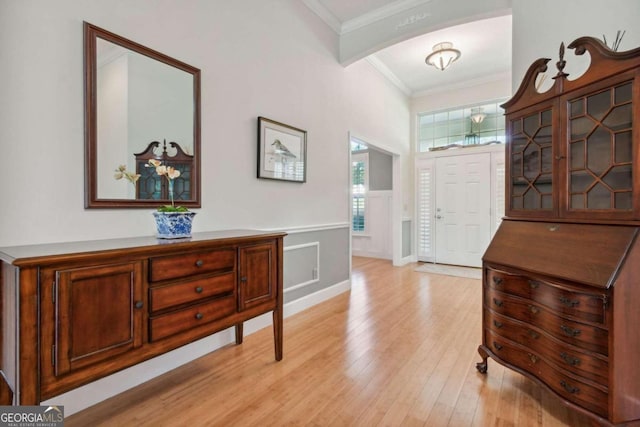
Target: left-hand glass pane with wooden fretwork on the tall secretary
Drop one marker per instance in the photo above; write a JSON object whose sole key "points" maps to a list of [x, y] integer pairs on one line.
{"points": [[531, 174]]}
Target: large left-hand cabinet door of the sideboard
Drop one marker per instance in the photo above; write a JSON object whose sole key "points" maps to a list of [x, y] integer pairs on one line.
{"points": [[98, 312]]}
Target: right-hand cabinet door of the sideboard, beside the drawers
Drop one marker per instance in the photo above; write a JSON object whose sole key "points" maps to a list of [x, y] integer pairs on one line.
{"points": [[257, 278]]}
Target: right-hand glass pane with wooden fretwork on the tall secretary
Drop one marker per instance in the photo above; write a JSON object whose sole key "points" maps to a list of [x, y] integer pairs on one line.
{"points": [[599, 155]]}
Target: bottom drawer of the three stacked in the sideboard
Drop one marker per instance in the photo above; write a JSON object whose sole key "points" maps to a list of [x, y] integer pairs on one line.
{"points": [[191, 317]]}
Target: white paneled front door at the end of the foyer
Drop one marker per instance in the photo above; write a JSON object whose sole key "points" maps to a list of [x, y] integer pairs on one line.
{"points": [[462, 209]]}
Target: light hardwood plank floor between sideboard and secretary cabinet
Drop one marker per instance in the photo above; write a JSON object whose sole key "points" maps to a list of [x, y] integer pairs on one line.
{"points": [[399, 349]]}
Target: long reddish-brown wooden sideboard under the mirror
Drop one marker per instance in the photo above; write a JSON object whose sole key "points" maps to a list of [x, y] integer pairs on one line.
{"points": [[76, 312]]}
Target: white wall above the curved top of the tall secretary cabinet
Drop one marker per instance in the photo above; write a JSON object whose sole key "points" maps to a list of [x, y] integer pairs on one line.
{"points": [[540, 26]]}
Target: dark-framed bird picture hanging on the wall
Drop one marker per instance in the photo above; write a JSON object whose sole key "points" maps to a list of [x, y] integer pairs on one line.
{"points": [[282, 151]]}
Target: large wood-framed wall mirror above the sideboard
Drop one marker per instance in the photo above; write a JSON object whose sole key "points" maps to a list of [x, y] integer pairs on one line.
{"points": [[139, 105]]}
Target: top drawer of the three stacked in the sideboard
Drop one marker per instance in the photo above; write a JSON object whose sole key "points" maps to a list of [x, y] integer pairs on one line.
{"points": [[177, 266]]}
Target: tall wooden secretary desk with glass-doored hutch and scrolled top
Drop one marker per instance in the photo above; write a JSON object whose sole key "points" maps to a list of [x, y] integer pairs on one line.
{"points": [[560, 276]]}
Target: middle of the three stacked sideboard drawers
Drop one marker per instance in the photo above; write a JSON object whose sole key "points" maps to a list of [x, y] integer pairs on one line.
{"points": [[164, 297]]}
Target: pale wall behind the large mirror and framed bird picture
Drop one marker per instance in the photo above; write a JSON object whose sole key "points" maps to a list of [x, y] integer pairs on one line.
{"points": [[272, 58]]}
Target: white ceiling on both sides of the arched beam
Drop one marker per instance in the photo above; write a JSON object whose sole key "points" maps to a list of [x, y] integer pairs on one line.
{"points": [[485, 46]]}
